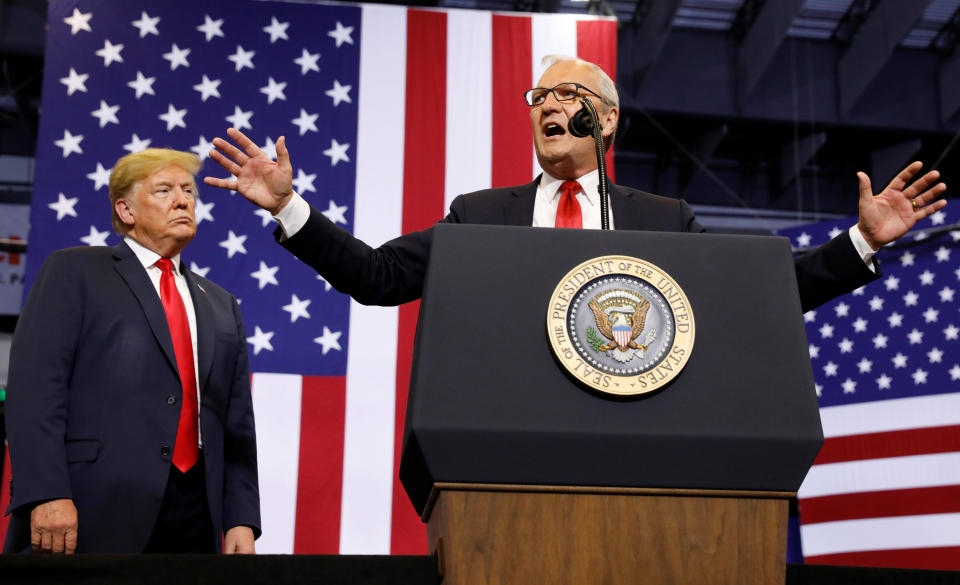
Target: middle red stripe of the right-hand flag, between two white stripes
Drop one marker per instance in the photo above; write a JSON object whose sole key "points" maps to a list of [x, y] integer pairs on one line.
{"points": [[907, 502]]}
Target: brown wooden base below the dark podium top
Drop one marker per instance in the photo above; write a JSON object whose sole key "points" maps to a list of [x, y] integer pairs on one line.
{"points": [[524, 535]]}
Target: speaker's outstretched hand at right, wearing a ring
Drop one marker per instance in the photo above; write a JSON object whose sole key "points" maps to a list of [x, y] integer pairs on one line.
{"points": [[895, 210]]}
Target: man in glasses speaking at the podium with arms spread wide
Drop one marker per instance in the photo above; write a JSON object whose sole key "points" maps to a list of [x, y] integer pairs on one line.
{"points": [[565, 195]]}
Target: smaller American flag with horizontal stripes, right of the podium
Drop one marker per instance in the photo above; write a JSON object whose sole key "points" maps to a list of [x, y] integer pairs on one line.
{"points": [[885, 488]]}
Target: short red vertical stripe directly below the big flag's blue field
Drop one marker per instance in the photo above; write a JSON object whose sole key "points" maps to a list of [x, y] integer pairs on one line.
{"points": [[320, 481]]}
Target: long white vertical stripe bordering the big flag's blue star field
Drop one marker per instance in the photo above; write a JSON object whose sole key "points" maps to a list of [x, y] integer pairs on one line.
{"points": [[372, 356]]}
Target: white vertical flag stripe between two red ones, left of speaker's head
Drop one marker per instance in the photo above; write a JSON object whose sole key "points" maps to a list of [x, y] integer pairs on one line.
{"points": [[469, 124]]}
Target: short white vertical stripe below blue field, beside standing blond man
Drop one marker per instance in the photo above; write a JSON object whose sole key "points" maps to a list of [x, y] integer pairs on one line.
{"points": [[276, 406]]}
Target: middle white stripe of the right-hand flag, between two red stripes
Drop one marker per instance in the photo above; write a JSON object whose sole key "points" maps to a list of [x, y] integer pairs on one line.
{"points": [[889, 473]]}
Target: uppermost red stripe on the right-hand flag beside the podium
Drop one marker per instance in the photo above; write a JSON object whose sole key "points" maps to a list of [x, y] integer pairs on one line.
{"points": [[890, 444]]}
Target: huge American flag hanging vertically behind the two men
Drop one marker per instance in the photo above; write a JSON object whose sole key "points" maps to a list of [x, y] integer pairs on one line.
{"points": [[389, 113]]}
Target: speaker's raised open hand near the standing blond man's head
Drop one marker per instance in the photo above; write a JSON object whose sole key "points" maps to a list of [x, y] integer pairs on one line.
{"points": [[264, 183]]}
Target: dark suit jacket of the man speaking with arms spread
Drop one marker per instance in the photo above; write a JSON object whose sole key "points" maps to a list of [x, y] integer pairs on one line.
{"points": [[394, 272]]}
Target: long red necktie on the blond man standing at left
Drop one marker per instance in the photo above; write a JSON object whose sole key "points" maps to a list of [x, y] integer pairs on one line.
{"points": [[186, 450]]}
